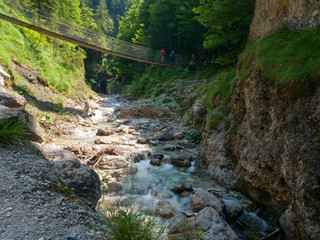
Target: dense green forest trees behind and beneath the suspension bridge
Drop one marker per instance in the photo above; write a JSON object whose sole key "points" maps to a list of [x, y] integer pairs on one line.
{"points": [[214, 30]]}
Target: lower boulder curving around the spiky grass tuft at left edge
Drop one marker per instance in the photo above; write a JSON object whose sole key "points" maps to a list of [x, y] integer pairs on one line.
{"points": [[37, 132]]}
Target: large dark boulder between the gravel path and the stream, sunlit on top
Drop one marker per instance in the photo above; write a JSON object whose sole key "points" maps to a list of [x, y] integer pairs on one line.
{"points": [[84, 182]]}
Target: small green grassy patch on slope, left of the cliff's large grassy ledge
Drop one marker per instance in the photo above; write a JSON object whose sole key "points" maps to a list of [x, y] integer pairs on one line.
{"points": [[220, 89]]}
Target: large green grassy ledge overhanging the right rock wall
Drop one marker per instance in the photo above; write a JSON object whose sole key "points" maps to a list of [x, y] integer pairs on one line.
{"points": [[288, 58]]}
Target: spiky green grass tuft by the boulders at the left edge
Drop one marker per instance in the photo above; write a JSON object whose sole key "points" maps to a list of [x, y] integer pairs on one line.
{"points": [[13, 130]]}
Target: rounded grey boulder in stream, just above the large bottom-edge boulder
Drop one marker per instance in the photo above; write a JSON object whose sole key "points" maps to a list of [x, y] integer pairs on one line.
{"points": [[202, 199]]}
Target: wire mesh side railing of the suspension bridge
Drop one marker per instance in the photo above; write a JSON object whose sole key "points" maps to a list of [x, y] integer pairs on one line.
{"points": [[24, 12]]}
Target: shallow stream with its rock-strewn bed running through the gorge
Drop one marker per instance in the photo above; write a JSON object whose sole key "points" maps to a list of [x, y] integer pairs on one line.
{"points": [[130, 178]]}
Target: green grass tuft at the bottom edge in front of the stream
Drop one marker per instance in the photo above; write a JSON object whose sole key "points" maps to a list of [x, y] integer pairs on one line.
{"points": [[120, 224]]}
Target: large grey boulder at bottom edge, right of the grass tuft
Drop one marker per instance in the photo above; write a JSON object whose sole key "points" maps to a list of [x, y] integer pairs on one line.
{"points": [[207, 220]]}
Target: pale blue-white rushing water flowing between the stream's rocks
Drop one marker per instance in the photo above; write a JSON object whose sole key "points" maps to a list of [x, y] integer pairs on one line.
{"points": [[150, 184]]}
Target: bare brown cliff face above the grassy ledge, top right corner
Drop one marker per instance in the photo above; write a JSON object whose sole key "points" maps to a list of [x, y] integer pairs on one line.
{"points": [[269, 15]]}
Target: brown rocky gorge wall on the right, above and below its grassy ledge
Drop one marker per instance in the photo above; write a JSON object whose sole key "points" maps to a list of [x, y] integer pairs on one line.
{"points": [[271, 152]]}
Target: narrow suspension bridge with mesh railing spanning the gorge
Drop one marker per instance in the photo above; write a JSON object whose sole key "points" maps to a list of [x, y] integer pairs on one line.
{"points": [[25, 15]]}
